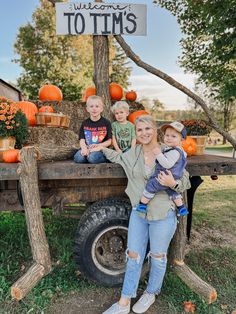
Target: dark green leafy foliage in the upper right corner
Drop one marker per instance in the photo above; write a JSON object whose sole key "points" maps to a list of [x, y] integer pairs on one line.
{"points": [[209, 45]]}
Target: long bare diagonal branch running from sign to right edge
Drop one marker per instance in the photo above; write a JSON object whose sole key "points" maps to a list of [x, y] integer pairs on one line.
{"points": [[130, 54]]}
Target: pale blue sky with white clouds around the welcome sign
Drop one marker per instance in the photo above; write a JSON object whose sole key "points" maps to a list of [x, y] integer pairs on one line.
{"points": [[160, 48]]}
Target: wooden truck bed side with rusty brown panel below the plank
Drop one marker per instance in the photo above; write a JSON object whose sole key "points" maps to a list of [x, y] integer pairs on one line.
{"points": [[65, 182]]}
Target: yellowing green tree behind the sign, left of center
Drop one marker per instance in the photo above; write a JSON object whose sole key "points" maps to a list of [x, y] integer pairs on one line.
{"points": [[66, 61]]}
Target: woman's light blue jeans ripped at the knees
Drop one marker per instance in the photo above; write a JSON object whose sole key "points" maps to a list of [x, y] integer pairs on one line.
{"points": [[160, 233]]}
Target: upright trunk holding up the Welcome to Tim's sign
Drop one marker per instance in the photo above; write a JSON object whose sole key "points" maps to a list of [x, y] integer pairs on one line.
{"points": [[101, 70]]}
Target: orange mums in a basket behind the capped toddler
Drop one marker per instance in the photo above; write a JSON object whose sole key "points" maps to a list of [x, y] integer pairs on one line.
{"points": [[198, 130]]}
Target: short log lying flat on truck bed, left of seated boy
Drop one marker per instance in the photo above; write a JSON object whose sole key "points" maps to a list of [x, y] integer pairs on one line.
{"points": [[44, 152]]}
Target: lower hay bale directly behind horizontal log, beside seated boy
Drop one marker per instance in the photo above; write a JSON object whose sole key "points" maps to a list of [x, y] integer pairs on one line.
{"points": [[52, 136]]}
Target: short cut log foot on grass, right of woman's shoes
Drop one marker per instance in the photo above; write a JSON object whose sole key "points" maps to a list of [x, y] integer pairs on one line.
{"points": [[195, 283]]}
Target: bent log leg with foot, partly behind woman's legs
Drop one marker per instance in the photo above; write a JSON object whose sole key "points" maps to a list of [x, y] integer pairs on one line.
{"points": [[177, 254]]}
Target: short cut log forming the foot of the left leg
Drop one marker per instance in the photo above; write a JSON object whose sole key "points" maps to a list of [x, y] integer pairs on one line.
{"points": [[29, 280]]}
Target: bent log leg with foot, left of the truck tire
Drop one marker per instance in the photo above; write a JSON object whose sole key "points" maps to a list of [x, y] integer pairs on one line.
{"points": [[28, 174]]}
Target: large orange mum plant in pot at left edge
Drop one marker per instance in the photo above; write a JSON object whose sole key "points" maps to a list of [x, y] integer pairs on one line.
{"points": [[13, 125]]}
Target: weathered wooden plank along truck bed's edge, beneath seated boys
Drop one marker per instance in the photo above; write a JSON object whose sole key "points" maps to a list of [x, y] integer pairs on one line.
{"points": [[204, 165]]}
